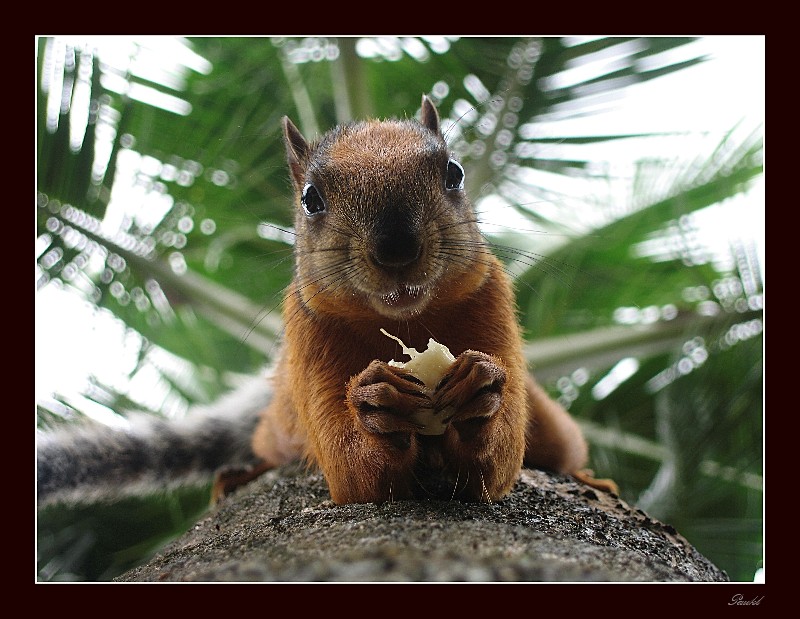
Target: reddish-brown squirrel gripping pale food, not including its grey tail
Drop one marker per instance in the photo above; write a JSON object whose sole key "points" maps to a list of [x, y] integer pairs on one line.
{"points": [[387, 238]]}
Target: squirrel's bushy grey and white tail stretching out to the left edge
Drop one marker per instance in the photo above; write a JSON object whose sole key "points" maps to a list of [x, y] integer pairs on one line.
{"points": [[93, 462]]}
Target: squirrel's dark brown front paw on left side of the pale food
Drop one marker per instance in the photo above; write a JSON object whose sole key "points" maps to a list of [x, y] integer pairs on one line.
{"points": [[387, 398]]}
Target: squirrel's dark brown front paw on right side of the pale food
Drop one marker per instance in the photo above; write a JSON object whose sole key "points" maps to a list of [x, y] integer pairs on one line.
{"points": [[472, 388]]}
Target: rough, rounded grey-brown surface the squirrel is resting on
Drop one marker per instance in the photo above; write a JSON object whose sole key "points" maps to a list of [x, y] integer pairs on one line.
{"points": [[284, 528]]}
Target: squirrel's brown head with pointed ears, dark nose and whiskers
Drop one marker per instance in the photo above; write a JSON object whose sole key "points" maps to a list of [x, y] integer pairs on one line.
{"points": [[382, 218]]}
